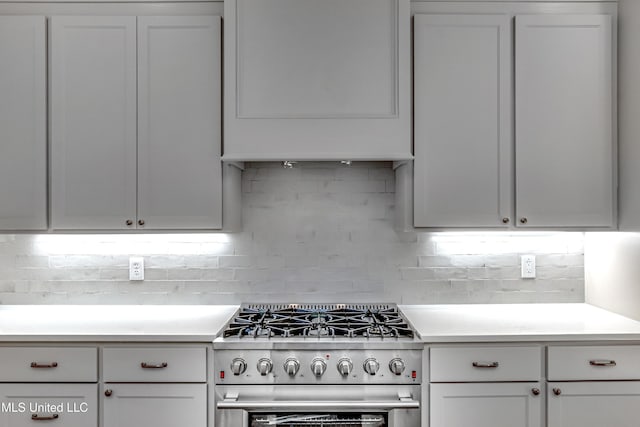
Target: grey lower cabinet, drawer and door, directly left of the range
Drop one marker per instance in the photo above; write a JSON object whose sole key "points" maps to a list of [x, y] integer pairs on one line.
{"points": [[154, 385]]}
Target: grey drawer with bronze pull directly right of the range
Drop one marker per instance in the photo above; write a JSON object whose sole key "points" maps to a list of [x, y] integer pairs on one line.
{"points": [[471, 364]]}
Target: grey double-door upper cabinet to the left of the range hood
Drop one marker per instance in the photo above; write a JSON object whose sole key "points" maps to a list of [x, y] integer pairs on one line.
{"points": [[136, 122]]}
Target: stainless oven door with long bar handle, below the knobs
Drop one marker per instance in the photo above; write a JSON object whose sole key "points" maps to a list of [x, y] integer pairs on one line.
{"points": [[318, 405]]}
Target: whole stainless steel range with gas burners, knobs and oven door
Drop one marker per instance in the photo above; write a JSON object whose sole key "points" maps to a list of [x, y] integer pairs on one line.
{"points": [[318, 365]]}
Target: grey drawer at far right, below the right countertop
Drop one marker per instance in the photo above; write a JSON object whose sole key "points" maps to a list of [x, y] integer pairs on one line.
{"points": [[594, 363]]}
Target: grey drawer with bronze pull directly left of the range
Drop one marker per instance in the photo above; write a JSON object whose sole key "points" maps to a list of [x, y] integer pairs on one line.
{"points": [[155, 364]]}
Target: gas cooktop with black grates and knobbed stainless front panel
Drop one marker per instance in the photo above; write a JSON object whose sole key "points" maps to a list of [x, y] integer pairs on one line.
{"points": [[318, 344]]}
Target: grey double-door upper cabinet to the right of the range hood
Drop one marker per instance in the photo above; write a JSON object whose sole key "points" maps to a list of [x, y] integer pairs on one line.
{"points": [[542, 157]]}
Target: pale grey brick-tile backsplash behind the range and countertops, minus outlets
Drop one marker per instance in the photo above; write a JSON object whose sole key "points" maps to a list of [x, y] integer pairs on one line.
{"points": [[319, 232]]}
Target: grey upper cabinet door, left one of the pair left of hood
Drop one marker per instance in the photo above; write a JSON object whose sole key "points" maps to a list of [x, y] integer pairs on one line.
{"points": [[93, 122]]}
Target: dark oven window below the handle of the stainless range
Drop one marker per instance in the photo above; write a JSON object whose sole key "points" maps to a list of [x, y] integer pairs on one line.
{"points": [[319, 420]]}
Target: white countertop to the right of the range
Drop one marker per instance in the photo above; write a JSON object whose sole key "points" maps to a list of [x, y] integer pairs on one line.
{"points": [[518, 322]]}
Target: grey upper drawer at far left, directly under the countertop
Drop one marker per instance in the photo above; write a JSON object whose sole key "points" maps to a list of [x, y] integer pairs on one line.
{"points": [[48, 364]]}
